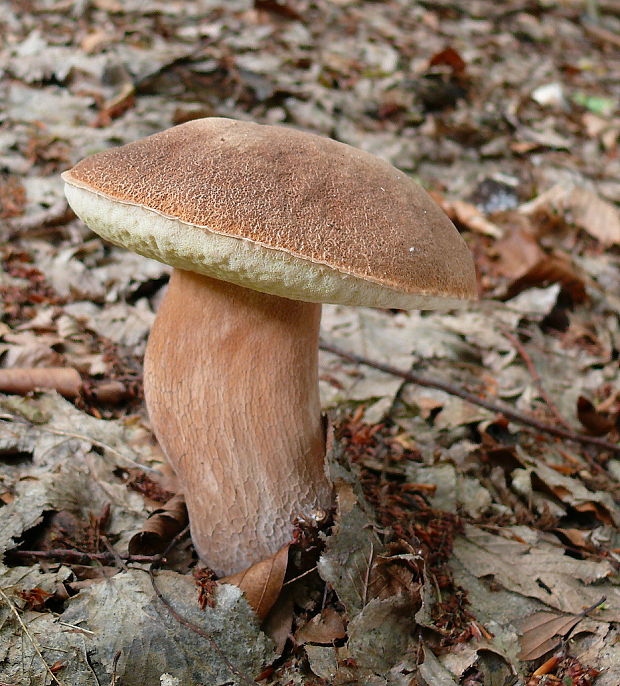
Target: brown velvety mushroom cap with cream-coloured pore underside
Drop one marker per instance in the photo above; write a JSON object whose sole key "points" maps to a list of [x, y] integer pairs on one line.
{"points": [[277, 210]]}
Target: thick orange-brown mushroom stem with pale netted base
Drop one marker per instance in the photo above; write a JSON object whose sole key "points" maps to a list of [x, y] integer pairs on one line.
{"points": [[231, 386]]}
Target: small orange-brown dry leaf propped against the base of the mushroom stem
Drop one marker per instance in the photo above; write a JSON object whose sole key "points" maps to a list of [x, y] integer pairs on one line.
{"points": [[261, 583]]}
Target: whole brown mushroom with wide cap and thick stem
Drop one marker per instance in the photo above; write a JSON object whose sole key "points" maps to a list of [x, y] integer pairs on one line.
{"points": [[262, 224]]}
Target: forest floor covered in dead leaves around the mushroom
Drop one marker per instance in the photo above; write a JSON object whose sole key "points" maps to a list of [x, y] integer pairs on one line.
{"points": [[470, 545]]}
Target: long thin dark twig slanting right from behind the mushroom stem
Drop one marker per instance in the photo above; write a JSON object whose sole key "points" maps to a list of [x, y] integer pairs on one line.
{"points": [[498, 407]]}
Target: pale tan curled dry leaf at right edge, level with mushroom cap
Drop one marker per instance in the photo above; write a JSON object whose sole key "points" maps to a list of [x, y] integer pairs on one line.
{"points": [[585, 208]]}
